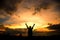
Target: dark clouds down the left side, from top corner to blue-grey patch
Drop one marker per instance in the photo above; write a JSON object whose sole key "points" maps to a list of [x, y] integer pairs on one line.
{"points": [[7, 7]]}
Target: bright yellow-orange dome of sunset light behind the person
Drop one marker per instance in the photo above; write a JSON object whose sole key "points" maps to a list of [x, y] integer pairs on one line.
{"points": [[29, 20]]}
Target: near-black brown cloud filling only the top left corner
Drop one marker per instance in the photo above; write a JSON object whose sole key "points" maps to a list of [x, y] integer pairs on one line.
{"points": [[8, 5]]}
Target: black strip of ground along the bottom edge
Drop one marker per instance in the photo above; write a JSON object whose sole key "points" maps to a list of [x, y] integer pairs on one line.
{"points": [[8, 37]]}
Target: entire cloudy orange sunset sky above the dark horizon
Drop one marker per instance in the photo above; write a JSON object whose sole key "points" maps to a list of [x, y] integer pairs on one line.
{"points": [[15, 13]]}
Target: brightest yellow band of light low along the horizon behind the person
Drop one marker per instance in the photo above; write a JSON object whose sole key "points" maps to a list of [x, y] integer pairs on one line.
{"points": [[22, 25]]}
